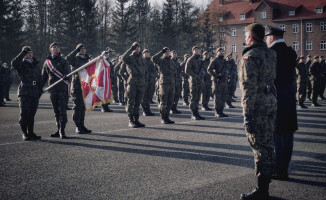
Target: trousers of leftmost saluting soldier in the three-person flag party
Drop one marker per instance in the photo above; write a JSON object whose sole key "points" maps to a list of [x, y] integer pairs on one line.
{"points": [[28, 107]]}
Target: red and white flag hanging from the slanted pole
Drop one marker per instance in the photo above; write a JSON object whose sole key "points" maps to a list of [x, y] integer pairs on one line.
{"points": [[96, 84]]}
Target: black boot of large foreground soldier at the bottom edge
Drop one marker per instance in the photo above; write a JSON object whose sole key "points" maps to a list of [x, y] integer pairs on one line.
{"points": [[260, 192]]}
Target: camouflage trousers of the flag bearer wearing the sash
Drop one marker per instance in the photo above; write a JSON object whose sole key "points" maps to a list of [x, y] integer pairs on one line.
{"points": [[59, 102]]}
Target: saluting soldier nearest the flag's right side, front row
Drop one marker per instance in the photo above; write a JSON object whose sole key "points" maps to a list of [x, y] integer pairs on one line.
{"points": [[138, 73]]}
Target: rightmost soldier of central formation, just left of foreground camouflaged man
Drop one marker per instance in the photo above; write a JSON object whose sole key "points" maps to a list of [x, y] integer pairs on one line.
{"points": [[230, 81]]}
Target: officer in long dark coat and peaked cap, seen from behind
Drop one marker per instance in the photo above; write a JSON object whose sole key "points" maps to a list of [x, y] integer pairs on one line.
{"points": [[286, 115]]}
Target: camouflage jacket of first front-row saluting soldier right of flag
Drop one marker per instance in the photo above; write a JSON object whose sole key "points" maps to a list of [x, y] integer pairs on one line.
{"points": [[136, 67]]}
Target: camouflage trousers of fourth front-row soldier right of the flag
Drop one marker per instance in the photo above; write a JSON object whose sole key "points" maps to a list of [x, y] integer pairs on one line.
{"points": [[220, 93]]}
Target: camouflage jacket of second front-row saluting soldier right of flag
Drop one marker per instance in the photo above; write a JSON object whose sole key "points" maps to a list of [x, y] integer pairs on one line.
{"points": [[166, 68]]}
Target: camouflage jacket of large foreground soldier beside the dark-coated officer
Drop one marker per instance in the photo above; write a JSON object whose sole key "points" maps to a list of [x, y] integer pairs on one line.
{"points": [[257, 73]]}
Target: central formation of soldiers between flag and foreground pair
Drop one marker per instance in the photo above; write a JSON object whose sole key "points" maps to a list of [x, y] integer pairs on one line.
{"points": [[136, 75]]}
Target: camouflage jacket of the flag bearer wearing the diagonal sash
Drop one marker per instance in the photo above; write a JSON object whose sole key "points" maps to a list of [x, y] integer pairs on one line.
{"points": [[61, 65]]}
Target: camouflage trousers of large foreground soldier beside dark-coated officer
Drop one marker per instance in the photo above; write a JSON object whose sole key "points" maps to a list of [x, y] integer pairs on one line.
{"points": [[261, 139]]}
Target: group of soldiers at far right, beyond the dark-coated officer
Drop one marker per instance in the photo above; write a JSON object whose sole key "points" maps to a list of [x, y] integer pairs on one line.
{"points": [[311, 79]]}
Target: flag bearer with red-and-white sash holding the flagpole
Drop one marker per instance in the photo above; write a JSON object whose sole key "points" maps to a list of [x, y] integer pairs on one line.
{"points": [[55, 68]]}
